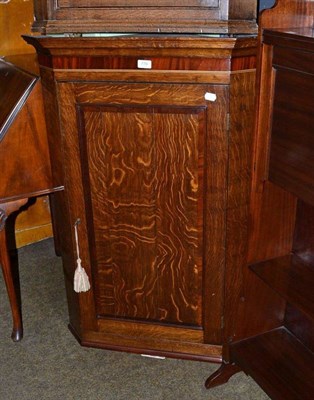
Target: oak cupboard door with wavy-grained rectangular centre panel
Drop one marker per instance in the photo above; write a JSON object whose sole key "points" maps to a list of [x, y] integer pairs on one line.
{"points": [[136, 175]]}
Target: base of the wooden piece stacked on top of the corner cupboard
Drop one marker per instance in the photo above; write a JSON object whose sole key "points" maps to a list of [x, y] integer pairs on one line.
{"points": [[196, 16]]}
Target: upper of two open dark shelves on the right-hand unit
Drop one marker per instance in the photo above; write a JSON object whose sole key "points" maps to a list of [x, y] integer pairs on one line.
{"points": [[292, 278]]}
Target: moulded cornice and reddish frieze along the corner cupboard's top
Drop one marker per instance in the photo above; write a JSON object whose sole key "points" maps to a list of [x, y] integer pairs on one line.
{"points": [[168, 53]]}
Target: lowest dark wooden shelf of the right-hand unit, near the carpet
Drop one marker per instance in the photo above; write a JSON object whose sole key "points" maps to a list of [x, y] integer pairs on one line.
{"points": [[279, 363]]}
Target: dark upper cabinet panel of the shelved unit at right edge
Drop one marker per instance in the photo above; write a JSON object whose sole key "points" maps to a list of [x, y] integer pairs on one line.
{"points": [[291, 162]]}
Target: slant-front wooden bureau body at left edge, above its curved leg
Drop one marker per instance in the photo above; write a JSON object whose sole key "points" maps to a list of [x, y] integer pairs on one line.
{"points": [[22, 123]]}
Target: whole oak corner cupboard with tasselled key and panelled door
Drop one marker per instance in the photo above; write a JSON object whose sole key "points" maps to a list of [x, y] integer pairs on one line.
{"points": [[151, 135]]}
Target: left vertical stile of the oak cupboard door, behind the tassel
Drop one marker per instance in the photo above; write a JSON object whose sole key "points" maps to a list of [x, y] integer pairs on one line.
{"points": [[82, 303]]}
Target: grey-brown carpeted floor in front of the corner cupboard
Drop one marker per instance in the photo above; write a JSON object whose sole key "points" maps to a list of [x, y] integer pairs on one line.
{"points": [[49, 363]]}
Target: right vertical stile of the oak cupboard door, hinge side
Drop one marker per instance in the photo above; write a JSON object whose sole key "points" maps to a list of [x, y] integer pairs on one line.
{"points": [[215, 204]]}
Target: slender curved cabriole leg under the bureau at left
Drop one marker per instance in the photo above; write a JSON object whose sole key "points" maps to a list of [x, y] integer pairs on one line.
{"points": [[5, 210]]}
